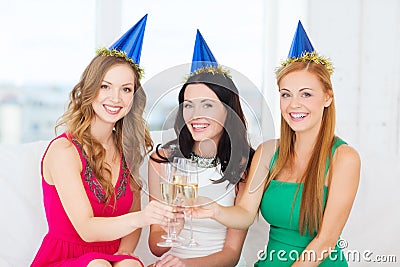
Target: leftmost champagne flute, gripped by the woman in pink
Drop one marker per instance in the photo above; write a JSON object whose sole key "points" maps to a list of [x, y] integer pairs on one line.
{"points": [[168, 194]]}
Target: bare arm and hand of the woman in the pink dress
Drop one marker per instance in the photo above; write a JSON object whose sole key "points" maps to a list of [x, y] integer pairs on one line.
{"points": [[62, 167]]}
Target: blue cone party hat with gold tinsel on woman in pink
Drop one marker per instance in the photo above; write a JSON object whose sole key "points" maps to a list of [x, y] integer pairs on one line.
{"points": [[129, 46]]}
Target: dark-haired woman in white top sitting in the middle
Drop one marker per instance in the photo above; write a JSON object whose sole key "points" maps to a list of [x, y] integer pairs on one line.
{"points": [[211, 130]]}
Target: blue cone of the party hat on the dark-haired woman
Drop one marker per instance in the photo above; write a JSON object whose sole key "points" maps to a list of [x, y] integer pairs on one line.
{"points": [[202, 55]]}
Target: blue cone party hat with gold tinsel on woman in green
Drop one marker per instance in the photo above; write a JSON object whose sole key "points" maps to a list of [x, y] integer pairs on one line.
{"points": [[302, 50]]}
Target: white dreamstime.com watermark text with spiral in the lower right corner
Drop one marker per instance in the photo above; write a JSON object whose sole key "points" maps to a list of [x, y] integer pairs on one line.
{"points": [[340, 254]]}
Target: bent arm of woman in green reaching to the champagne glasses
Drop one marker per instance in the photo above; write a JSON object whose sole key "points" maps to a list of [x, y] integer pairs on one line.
{"points": [[242, 215]]}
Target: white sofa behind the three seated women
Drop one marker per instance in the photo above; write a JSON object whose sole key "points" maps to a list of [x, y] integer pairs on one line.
{"points": [[23, 222]]}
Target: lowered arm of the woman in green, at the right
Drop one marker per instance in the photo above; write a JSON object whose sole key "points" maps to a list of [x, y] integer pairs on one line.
{"points": [[342, 191]]}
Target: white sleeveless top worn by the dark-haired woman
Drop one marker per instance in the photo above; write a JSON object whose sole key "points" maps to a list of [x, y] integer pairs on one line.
{"points": [[209, 233]]}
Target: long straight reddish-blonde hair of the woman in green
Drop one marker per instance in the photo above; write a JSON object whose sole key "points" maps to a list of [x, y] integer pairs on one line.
{"points": [[313, 179]]}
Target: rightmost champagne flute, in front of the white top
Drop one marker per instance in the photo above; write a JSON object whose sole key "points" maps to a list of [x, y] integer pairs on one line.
{"points": [[186, 179]]}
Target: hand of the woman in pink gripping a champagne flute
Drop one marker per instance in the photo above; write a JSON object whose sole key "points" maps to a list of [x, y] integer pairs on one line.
{"points": [[156, 213]]}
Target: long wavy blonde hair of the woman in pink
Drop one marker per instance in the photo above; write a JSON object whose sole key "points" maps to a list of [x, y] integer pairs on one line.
{"points": [[79, 115]]}
